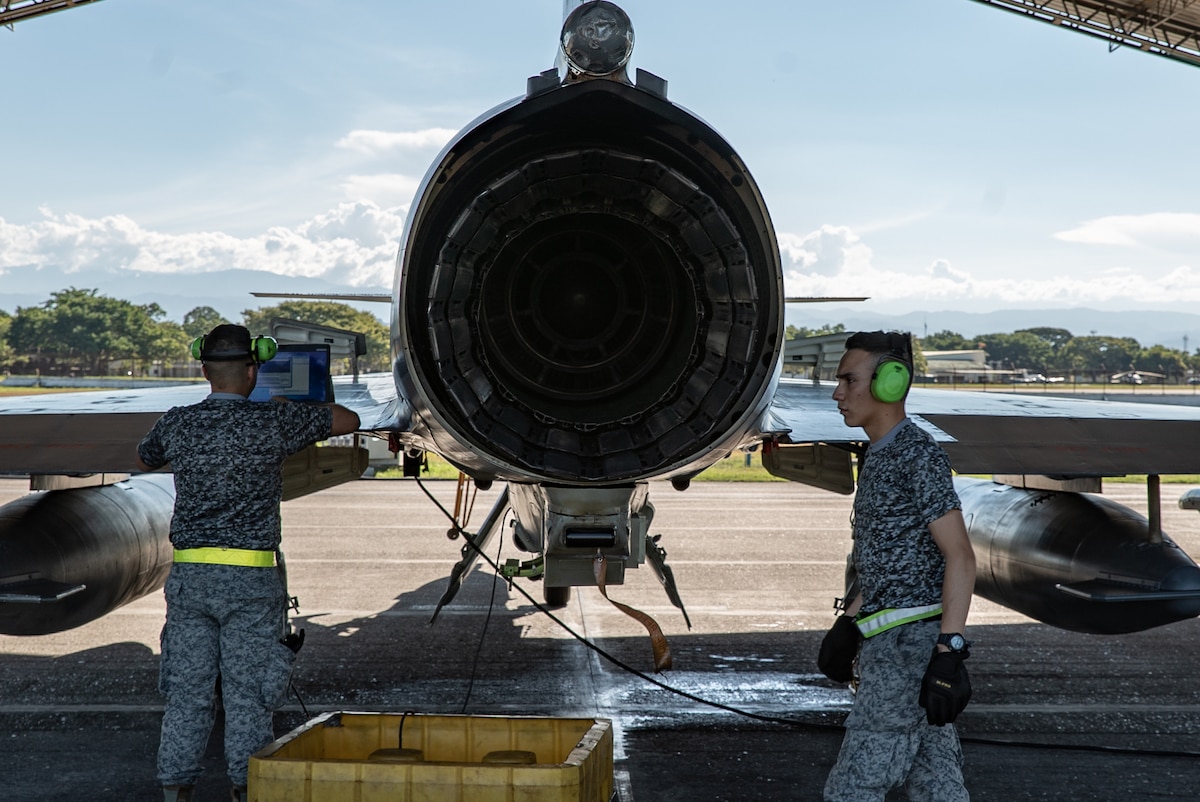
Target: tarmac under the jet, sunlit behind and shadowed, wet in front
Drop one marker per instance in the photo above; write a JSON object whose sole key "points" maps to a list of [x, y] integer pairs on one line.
{"points": [[1055, 715]]}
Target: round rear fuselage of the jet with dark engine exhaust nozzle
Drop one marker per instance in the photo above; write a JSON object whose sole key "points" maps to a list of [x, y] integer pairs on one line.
{"points": [[590, 291]]}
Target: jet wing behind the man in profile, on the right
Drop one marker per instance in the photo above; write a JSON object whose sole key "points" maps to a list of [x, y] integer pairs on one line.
{"points": [[1007, 433]]}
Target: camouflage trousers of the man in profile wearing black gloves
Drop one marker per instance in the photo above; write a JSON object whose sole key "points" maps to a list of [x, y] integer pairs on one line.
{"points": [[889, 744]]}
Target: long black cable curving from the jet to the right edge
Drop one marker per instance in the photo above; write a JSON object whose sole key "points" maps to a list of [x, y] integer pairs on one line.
{"points": [[776, 720]]}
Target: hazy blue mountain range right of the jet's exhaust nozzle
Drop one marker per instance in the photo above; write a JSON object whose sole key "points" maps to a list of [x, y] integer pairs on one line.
{"points": [[1148, 327]]}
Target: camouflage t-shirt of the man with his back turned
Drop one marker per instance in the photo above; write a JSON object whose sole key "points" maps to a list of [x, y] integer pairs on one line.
{"points": [[227, 454]]}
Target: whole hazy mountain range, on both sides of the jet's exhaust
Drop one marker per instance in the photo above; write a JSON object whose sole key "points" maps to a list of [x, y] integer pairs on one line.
{"points": [[229, 292]]}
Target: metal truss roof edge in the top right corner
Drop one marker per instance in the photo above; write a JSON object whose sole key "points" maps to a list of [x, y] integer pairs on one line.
{"points": [[1167, 28]]}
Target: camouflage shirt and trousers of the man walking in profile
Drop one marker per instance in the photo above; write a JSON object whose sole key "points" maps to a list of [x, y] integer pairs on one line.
{"points": [[904, 486]]}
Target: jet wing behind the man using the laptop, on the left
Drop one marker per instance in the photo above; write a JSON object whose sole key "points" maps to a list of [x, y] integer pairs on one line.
{"points": [[99, 433]]}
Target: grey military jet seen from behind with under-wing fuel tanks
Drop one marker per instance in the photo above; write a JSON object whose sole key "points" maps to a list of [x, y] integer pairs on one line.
{"points": [[590, 297]]}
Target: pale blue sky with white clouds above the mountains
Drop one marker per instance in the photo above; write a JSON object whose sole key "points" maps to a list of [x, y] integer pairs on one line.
{"points": [[931, 154]]}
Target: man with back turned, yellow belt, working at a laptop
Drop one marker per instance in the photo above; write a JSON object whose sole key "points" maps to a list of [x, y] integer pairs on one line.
{"points": [[226, 602]]}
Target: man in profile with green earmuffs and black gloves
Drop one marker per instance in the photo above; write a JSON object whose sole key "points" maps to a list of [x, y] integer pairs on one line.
{"points": [[916, 576]]}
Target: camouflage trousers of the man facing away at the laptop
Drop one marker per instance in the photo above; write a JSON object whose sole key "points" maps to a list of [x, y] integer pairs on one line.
{"points": [[221, 621]]}
